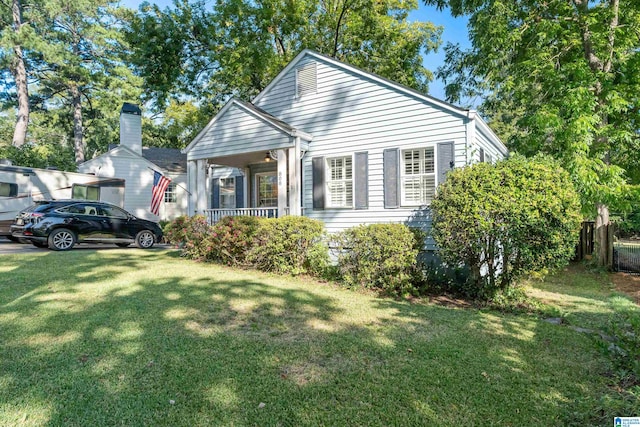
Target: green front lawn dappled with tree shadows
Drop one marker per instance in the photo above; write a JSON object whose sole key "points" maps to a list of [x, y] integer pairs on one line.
{"points": [[131, 337]]}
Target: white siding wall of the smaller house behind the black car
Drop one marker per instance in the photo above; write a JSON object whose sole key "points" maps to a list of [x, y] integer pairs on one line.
{"points": [[138, 178]]}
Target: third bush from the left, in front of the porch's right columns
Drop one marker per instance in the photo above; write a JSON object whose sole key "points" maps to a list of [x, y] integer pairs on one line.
{"points": [[291, 244]]}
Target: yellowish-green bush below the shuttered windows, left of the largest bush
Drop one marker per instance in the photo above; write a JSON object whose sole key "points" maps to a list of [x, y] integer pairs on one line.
{"points": [[378, 256]]}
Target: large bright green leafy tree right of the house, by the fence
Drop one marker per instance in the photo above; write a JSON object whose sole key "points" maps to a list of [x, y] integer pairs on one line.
{"points": [[570, 70]]}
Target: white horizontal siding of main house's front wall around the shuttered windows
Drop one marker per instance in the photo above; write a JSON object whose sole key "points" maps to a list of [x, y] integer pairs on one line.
{"points": [[351, 113]]}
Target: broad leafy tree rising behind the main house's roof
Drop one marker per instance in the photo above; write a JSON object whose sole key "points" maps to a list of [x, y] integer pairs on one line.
{"points": [[239, 47]]}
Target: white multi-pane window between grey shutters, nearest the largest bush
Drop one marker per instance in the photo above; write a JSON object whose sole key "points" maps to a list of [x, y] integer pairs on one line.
{"points": [[418, 176]]}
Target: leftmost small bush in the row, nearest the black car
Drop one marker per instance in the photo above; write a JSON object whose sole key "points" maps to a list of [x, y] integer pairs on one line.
{"points": [[189, 233]]}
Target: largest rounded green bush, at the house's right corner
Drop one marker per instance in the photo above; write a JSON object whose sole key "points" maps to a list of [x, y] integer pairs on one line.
{"points": [[506, 220]]}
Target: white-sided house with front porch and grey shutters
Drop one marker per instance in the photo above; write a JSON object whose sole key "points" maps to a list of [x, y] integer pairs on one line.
{"points": [[335, 143]]}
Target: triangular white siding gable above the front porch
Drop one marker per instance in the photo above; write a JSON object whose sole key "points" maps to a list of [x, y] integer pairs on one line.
{"points": [[238, 132]]}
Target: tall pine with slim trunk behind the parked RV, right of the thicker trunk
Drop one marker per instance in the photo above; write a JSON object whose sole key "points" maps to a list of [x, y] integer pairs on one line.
{"points": [[84, 62]]}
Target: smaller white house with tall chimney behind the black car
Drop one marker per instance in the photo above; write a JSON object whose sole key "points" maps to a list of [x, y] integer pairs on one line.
{"points": [[136, 164]]}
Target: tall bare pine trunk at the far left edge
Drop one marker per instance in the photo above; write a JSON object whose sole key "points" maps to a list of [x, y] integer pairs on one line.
{"points": [[19, 72]]}
